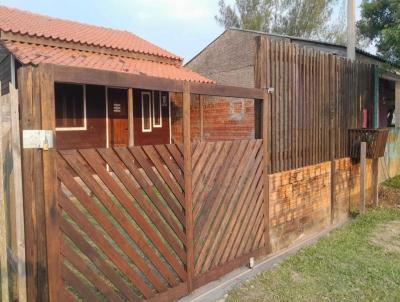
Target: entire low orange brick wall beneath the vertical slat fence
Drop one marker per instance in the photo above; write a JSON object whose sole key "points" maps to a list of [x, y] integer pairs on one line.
{"points": [[300, 200]]}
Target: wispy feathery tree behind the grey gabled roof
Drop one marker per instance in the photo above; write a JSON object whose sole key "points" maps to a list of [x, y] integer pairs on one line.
{"points": [[300, 18]]}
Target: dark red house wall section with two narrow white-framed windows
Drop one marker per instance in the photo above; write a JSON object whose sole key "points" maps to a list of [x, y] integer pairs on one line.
{"points": [[151, 117]]}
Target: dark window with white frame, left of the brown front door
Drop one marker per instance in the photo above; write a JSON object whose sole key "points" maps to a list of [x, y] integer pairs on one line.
{"points": [[70, 103]]}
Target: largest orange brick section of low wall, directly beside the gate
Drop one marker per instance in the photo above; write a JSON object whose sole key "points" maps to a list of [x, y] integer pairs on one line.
{"points": [[299, 203]]}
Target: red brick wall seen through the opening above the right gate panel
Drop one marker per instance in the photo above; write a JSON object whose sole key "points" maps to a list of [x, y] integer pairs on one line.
{"points": [[223, 118]]}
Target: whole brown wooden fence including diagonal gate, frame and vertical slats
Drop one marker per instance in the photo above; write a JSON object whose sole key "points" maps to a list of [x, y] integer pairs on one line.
{"points": [[156, 222]]}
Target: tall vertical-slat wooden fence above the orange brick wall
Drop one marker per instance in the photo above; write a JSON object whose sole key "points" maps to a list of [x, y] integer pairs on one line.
{"points": [[317, 97]]}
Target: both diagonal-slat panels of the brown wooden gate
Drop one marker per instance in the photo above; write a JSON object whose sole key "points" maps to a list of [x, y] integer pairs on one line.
{"points": [[122, 218]]}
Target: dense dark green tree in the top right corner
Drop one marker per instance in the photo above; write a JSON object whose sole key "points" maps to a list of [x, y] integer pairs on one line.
{"points": [[380, 23]]}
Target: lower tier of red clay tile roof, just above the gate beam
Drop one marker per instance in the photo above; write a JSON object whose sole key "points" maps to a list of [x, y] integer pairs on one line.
{"points": [[35, 54]]}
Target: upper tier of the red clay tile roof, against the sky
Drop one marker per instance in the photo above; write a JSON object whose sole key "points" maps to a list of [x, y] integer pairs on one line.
{"points": [[26, 23]]}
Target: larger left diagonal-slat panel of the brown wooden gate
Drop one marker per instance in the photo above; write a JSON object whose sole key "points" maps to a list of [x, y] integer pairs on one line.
{"points": [[122, 223]]}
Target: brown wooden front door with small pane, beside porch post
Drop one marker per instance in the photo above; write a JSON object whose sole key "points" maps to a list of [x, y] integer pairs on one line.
{"points": [[118, 117]]}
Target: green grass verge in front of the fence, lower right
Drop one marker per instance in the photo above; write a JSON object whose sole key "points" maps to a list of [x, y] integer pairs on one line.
{"points": [[344, 266]]}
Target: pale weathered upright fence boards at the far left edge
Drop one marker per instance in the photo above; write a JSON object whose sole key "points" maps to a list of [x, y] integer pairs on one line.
{"points": [[12, 242]]}
